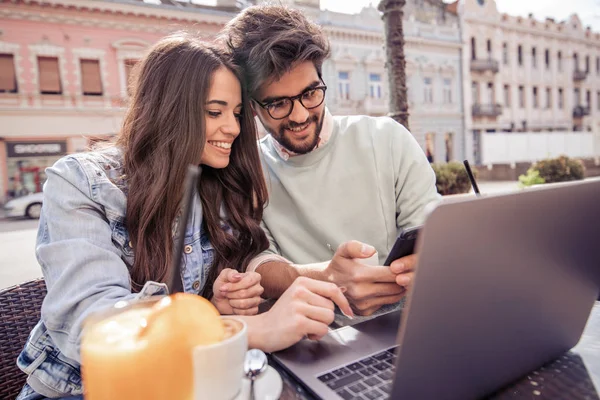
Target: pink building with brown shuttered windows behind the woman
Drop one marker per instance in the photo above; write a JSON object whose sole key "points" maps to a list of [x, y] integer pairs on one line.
{"points": [[64, 68]]}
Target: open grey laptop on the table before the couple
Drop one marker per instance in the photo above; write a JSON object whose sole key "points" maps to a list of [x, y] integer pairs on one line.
{"points": [[504, 284]]}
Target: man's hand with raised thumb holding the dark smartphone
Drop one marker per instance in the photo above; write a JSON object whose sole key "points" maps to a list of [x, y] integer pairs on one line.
{"points": [[367, 287]]}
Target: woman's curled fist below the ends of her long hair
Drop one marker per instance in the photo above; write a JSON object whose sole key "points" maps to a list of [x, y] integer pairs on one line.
{"points": [[237, 293]]}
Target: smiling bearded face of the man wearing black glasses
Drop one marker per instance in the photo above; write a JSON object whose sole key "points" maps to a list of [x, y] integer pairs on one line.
{"points": [[298, 132]]}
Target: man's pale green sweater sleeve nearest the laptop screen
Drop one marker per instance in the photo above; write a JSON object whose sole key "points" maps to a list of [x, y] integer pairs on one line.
{"points": [[415, 180]]}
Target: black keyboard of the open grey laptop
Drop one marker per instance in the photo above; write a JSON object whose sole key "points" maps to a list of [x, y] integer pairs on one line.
{"points": [[369, 378]]}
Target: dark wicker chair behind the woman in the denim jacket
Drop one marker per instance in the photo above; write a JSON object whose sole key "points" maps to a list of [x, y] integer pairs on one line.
{"points": [[19, 312]]}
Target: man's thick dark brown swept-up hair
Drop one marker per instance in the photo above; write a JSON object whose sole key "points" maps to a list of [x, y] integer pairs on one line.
{"points": [[266, 41]]}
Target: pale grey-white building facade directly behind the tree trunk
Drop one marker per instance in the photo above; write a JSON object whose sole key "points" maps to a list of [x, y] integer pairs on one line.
{"points": [[357, 78]]}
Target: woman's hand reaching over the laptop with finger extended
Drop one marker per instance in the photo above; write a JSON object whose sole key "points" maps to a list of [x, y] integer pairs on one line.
{"points": [[304, 310]]}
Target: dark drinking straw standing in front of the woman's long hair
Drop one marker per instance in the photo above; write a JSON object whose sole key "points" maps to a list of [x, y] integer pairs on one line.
{"points": [[191, 181]]}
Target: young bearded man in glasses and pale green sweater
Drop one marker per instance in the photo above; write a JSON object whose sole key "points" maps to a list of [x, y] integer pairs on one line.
{"points": [[349, 183]]}
